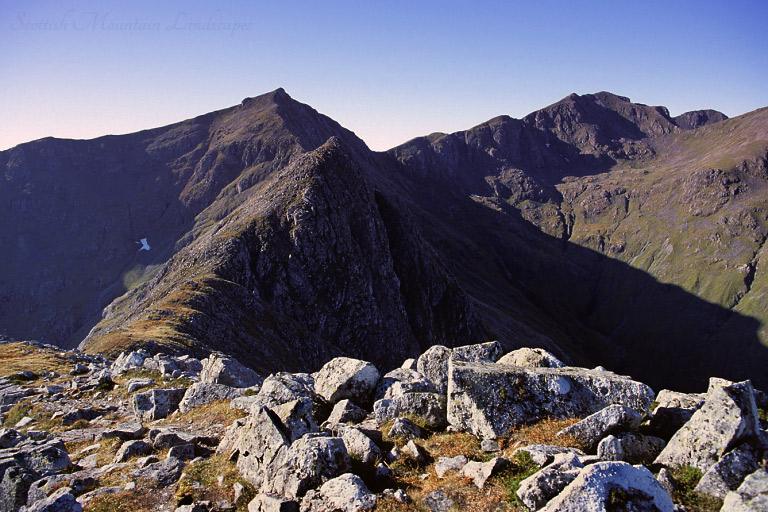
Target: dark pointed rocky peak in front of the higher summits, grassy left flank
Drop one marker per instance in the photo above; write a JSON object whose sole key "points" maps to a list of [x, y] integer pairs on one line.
{"points": [[309, 267]]}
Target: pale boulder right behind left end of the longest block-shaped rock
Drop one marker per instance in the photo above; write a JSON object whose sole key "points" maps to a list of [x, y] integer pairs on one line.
{"points": [[433, 364]]}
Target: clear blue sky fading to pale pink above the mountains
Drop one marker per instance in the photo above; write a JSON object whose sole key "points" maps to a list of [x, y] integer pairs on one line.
{"points": [[389, 71]]}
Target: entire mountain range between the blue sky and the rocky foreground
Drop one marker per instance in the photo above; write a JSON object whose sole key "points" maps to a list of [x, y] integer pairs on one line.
{"points": [[605, 231]]}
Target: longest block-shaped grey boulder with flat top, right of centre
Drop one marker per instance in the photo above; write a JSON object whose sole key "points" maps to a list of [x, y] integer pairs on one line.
{"points": [[487, 400]]}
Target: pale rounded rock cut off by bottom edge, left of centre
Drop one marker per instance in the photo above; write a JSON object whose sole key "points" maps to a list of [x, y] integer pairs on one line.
{"points": [[346, 493]]}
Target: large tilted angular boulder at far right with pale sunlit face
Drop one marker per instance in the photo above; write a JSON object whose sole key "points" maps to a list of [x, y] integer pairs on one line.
{"points": [[728, 416]]}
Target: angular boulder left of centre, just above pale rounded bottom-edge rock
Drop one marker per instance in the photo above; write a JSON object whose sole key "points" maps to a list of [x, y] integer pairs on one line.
{"points": [[308, 463]]}
